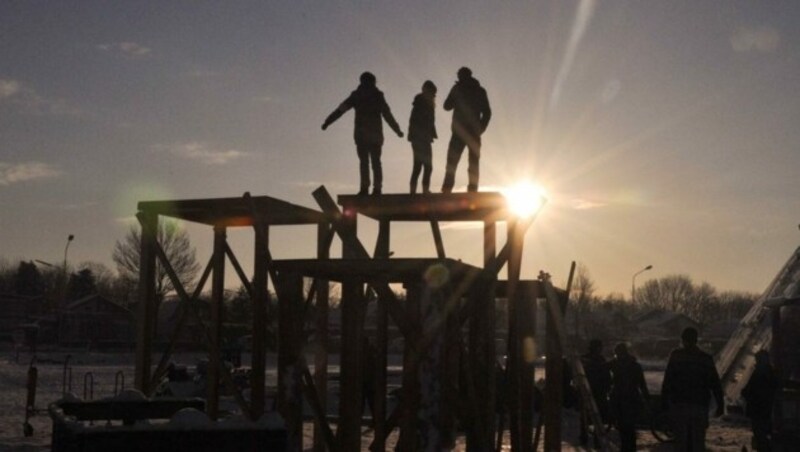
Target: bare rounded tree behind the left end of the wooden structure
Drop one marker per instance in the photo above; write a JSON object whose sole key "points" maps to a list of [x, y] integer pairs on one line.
{"points": [[175, 243]]}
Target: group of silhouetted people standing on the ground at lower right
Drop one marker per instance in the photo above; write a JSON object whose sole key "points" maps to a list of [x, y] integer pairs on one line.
{"points": [[690, 381]]}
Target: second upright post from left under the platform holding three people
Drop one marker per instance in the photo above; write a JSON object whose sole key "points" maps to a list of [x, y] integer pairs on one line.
{"points": [[381, 348]]}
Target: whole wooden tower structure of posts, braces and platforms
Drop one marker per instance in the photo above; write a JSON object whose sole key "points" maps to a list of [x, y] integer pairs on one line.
{"points": [[446, 317]]}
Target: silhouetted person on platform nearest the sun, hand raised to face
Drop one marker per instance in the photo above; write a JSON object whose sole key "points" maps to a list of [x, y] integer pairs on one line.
{"points": [[471, 114]]}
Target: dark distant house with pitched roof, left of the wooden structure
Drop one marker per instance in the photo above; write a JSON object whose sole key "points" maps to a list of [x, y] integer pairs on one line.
{"points": [[97, 321]]}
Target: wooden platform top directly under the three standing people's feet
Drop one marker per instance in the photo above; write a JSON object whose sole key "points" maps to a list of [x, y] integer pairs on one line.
{"points": [[480, 206]]}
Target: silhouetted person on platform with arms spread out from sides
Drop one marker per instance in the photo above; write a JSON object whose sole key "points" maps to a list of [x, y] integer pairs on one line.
{"points": [[371, 108]]}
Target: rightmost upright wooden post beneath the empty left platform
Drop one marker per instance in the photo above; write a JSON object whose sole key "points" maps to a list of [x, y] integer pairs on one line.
{"points": [[321, 356]]}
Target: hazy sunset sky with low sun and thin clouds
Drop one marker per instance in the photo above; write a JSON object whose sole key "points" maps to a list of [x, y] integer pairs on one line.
{"points": [[665, 133]]}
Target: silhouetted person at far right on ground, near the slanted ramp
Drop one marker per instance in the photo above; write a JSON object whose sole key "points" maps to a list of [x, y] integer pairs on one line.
{"points": [[759, 394]]}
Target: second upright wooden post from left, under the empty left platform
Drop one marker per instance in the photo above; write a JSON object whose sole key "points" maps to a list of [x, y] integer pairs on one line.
{"points": [[217, 291]]}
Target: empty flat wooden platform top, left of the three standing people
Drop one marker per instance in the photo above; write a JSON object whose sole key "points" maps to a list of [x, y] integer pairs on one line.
{"points": [[232, 212]]}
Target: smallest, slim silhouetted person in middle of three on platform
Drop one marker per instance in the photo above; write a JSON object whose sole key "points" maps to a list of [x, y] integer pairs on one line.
{"points": [[421, 133]]}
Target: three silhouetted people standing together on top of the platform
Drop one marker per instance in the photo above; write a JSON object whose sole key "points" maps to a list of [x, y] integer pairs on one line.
{"points": [[471, 114]]}
